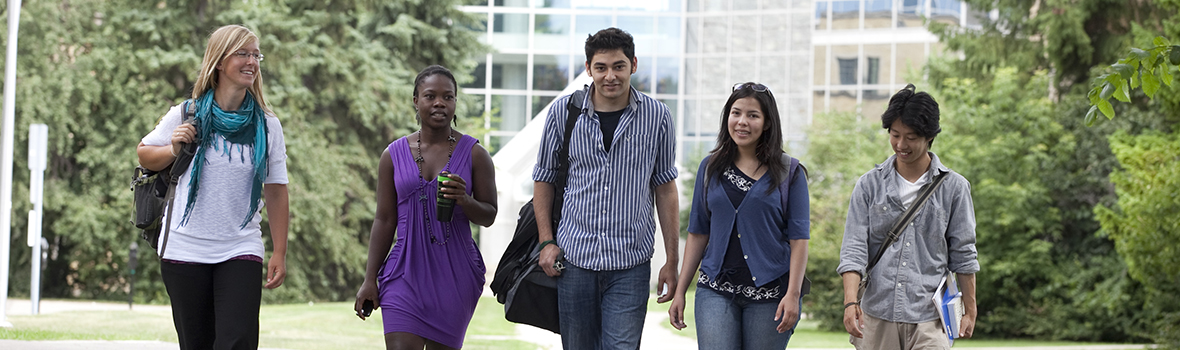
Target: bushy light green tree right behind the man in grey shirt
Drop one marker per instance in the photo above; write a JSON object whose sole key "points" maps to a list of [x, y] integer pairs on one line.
{"points": [[1041, 266]]}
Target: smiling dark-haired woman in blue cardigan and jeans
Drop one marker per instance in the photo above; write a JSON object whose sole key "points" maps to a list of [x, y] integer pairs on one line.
{"points": [[750, 290]]}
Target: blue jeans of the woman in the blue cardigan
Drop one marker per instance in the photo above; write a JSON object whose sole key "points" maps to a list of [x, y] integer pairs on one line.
{"points": [[737, 323]]}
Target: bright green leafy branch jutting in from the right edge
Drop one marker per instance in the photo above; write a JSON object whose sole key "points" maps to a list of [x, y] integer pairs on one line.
{"points": [[1148, 69]]}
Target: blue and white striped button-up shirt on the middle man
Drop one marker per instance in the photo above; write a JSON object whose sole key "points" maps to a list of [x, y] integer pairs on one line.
{"points": [[608, 215]]}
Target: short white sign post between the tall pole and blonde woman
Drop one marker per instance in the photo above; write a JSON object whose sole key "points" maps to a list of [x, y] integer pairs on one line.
{"points": [[38, 155]]}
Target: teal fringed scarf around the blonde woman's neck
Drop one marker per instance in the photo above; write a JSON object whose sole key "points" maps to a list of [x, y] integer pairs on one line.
{"points": [[245, 129]]}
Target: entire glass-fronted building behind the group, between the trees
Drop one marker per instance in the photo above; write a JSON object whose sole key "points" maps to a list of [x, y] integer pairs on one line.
{"points": [[817, 56]]}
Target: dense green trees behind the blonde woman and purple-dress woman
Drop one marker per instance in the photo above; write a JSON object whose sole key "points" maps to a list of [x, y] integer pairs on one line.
{"points": [[339, 76]]}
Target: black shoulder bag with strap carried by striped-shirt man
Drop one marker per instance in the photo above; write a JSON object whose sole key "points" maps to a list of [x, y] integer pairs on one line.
{"points": [[528, 294]]}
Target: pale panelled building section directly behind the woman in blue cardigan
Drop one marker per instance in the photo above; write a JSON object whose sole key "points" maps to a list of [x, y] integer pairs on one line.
{"points": [[768, 42]]}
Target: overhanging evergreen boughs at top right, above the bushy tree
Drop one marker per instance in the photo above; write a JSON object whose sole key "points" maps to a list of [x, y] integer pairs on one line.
{"points": [[1064, 38]]}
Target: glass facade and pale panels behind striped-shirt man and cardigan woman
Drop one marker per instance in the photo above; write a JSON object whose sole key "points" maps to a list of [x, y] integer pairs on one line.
{"points": [[690, 52]]}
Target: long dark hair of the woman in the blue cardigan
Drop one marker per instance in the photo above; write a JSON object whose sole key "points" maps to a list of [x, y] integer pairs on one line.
{"points": [[770, 146]]}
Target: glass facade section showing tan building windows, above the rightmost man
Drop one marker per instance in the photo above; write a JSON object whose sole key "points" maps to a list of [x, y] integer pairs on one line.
{"points": [[868, 50]]}
